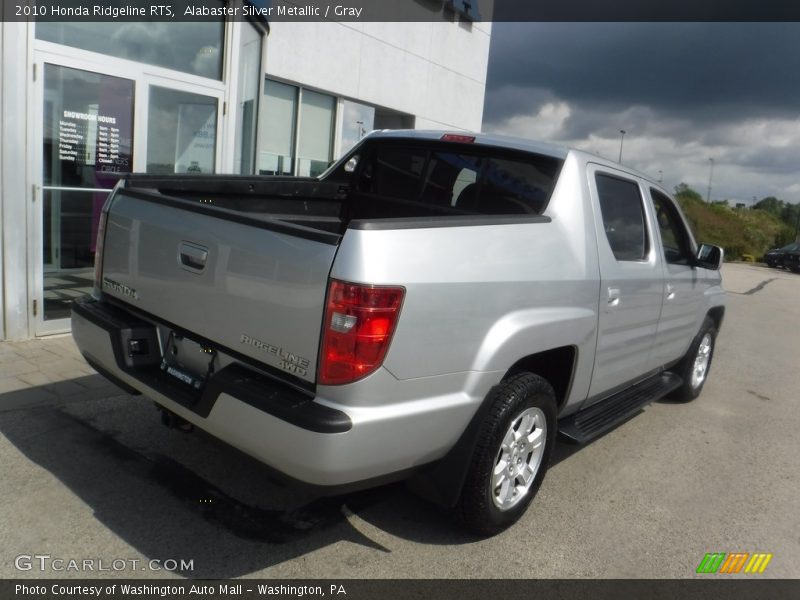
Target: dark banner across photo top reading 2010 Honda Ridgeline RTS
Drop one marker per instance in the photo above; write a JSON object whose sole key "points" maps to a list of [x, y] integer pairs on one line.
{"points": [[402, 10]]}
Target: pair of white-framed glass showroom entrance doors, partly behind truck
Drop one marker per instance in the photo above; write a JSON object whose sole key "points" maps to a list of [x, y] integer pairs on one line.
{"points": [[88, 124]]}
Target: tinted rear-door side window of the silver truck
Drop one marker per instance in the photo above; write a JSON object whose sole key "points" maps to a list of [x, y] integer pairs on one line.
{"points": [[623, 216]]}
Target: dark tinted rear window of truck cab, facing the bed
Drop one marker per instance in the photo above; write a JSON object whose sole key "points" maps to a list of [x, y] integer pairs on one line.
{"points": [[458, 179]]}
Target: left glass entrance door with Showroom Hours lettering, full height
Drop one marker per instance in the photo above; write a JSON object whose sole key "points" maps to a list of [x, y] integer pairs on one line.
{"points": [[87, 145]]}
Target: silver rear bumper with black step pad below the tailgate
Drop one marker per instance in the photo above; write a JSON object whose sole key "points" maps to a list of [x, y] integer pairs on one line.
{"points": [[310, 439]]}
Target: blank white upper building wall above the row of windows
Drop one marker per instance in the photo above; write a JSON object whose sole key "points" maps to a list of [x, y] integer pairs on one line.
{"points": [[435, 71]]}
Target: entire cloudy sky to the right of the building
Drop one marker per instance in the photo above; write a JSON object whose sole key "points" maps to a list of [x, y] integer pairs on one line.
{"points": [[683, 93]]}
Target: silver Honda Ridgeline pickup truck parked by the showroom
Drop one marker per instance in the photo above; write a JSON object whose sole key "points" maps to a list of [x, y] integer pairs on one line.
{"points": [[436, 306]]}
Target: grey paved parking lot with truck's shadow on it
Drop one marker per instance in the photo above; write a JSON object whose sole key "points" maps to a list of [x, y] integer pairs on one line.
{"points": [[89, 473]]}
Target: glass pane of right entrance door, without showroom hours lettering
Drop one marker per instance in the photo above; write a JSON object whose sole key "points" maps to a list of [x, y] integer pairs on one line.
{"points": [[181, 132]]}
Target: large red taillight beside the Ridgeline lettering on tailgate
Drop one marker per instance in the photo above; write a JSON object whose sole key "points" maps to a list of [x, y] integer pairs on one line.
{"points": [[359, 323]]}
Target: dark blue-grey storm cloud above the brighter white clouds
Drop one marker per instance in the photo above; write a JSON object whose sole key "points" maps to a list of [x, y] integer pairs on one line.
{"points": [[699, 70]]}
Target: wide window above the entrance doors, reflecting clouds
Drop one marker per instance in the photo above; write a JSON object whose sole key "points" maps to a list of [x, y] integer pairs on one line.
{"points": [[194, 47]]}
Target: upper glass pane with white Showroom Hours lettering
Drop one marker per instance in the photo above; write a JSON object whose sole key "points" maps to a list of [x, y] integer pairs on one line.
{"points": [[88, 128]]}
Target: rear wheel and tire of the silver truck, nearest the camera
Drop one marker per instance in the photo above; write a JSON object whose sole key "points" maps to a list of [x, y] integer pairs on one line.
{"points": [[511, 455]]}
